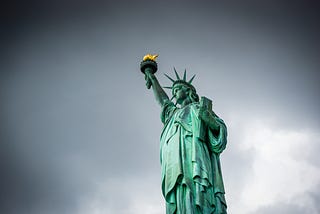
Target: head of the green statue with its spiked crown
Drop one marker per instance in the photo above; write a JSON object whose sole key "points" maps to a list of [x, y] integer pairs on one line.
{"points": [[183, 89]]}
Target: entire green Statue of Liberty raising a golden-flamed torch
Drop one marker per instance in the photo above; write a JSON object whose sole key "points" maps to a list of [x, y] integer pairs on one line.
{"points": [[191, 142]]}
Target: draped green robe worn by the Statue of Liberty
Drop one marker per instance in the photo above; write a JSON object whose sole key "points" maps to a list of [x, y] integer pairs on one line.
{"points": [[190, 164]]}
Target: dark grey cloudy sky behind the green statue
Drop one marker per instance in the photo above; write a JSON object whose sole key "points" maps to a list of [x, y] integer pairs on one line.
{"points": [[80, 131]]}
